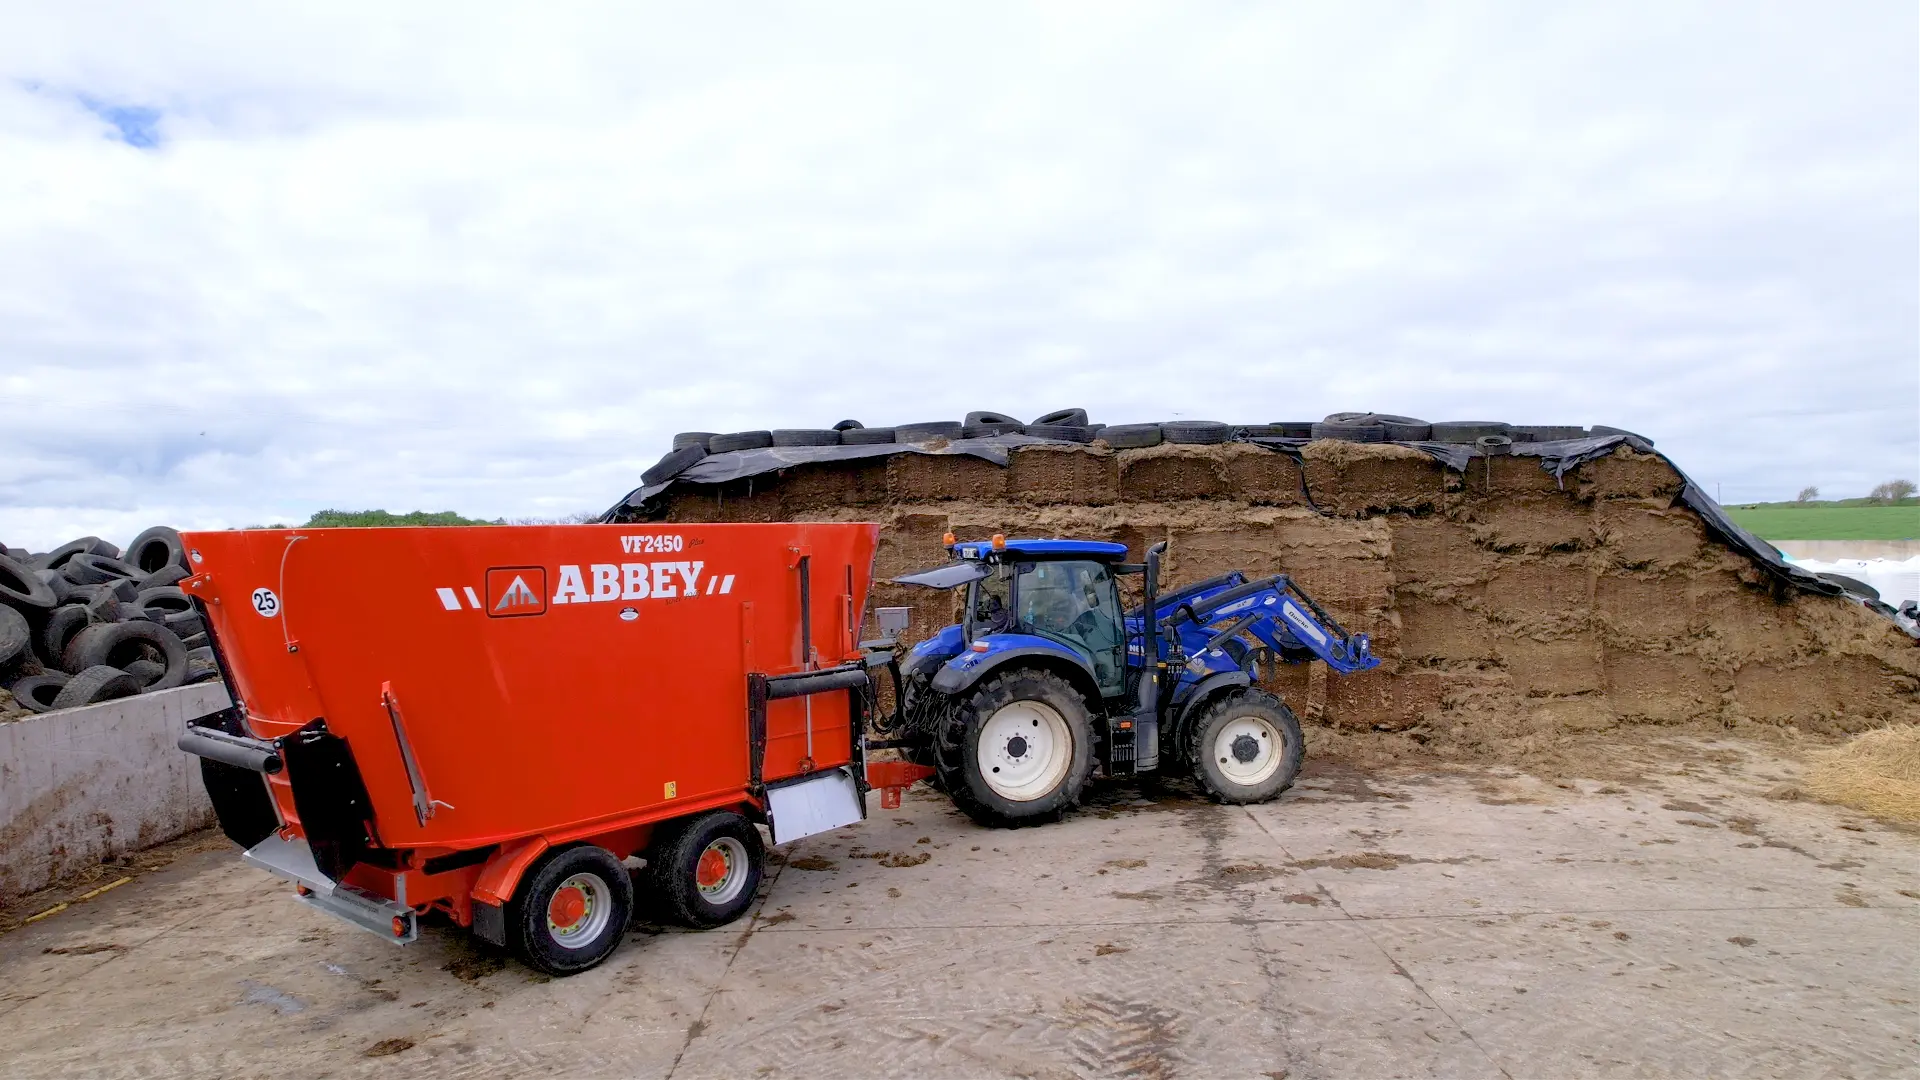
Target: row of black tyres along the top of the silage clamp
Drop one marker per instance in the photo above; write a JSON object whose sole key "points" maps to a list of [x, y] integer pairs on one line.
{"points": [[1072, 426]]}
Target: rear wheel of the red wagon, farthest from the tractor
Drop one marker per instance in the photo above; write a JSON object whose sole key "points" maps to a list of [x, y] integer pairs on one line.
{"points": [[573, 912]]}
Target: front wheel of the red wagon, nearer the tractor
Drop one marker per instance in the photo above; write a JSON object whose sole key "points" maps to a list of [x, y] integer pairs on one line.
{"points": [[706, 871]]}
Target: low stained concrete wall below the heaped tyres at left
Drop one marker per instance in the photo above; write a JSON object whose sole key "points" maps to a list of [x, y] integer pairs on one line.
{"points": [[87, 785]]}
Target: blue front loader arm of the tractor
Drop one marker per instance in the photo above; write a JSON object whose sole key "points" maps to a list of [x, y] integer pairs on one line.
{"points": [[1276, 612]]}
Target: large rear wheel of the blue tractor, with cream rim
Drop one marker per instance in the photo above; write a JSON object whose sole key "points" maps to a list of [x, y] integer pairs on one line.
{"points": [[1019, 750]]}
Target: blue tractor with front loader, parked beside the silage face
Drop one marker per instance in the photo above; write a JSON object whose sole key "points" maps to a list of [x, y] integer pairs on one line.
{"points": [[1049, 677]]}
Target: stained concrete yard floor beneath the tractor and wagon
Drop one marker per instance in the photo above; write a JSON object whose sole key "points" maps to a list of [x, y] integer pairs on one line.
{"points": [[1366, 925]]}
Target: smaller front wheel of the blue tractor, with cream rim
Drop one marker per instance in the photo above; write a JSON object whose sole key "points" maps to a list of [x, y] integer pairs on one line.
{"points": [[1245, 749]]}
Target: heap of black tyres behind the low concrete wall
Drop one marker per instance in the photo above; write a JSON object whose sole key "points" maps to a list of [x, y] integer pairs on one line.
{"points": [[89, 622]]}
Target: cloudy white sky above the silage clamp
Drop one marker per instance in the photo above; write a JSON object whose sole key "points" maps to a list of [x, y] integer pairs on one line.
{"points": [[256, 262]]}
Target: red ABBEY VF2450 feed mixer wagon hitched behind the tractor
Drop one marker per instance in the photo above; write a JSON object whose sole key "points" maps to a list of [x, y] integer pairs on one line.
{"points": [[487, 722]]}
